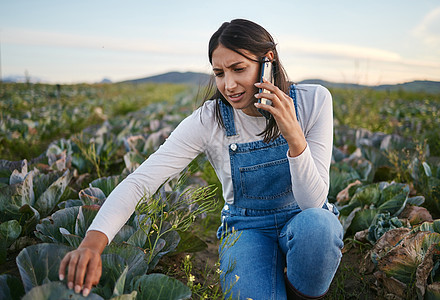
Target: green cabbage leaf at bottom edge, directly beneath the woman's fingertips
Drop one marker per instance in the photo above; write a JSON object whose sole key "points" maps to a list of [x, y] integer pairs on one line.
{"points": [[56, 290]]}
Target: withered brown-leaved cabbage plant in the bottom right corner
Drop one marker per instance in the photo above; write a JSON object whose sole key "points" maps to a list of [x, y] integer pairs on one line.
{"points": [[406, 262]]}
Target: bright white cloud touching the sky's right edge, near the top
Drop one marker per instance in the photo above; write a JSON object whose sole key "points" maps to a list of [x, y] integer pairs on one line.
{"points": [[428, 29]]}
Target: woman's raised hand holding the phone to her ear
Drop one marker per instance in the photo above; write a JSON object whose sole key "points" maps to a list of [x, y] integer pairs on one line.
{"points": [[283, 111]]}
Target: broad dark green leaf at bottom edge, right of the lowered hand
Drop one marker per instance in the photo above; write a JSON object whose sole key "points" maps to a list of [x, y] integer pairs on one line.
{"points": [[160, 287]]}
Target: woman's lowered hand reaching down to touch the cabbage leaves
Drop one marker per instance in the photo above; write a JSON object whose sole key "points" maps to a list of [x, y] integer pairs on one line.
{"points": [[84, 263]]}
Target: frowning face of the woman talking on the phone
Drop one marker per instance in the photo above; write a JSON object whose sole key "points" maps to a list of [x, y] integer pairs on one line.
{"points": [[235, 76]]}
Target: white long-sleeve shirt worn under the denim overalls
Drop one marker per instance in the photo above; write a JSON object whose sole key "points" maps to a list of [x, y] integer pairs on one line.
{"points": [[200, 133]]}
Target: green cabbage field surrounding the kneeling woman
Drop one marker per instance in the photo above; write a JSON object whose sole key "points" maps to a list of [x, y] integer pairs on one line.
{"points": [[63, 149]]}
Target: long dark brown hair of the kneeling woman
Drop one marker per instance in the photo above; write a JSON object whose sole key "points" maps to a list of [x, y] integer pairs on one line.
{"points": [[238, 35]]}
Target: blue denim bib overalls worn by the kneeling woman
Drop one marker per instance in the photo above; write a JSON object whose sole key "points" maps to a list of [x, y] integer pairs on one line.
{"points": [[273, 232]]}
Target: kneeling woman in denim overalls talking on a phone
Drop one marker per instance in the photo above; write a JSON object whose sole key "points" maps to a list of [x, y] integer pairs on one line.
{"points": [[274, 174]]}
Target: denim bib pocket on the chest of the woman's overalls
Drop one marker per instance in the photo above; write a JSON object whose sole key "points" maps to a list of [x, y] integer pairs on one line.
{"points": [[268, 180]]}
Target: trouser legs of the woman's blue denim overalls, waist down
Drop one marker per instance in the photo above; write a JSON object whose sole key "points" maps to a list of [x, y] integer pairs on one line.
{"points": [[307, 243]]}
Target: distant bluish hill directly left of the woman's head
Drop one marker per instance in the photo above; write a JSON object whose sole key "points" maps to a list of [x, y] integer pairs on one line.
{"points": [[175, 77]]}
